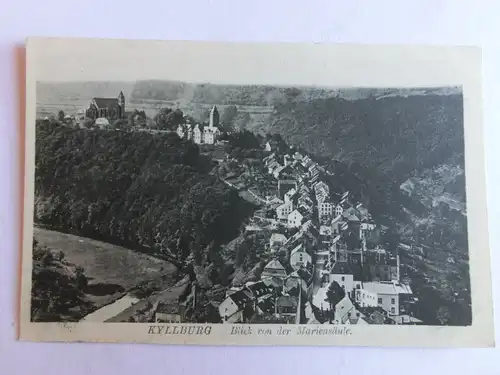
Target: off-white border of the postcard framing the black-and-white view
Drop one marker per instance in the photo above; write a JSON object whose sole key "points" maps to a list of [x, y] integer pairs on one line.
{"points": [[321, 65]]}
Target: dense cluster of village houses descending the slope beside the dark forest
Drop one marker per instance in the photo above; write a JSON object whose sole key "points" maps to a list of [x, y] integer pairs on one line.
{"points": [[335, 235]]}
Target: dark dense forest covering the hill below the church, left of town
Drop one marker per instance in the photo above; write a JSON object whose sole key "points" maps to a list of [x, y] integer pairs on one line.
{"points": [[150, 192]]}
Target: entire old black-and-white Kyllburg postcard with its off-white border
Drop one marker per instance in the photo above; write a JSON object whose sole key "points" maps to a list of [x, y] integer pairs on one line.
{"points": [[254, 194]]}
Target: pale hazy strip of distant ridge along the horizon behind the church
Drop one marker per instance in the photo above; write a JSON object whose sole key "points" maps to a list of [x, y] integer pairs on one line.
{"points": [[184, 93]]}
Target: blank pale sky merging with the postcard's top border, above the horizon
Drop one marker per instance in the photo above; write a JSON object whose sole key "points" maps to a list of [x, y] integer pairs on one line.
{"points": [[66, 60]]}
